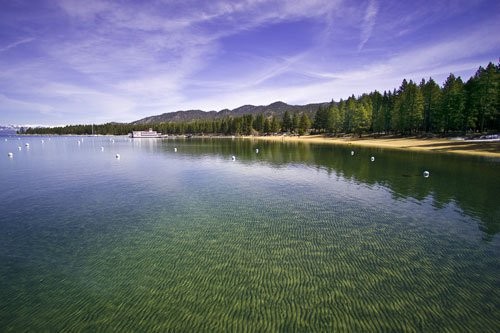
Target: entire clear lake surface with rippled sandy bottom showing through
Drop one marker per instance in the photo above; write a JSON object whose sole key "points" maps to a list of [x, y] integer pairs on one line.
{"points": [[295, 237]]}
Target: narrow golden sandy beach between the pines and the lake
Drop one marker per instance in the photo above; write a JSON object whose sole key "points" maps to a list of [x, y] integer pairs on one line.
{"points": [[462, 147]]}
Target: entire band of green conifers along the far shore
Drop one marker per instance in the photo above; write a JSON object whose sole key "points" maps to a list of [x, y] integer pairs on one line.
{"points": [[456, 107]]}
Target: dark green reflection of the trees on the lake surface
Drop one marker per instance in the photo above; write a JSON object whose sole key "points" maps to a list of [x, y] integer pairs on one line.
{"points": [[472, 183]]}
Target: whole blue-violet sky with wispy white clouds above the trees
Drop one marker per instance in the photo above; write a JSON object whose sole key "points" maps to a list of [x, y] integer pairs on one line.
{"points": [[95, 61]]}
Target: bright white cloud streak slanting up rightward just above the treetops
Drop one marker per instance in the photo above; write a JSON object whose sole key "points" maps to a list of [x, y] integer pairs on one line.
{"points": [[437, 59]]}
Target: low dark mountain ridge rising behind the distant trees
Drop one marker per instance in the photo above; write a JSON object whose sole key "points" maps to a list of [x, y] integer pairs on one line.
{"points": [[275, 109]]}
